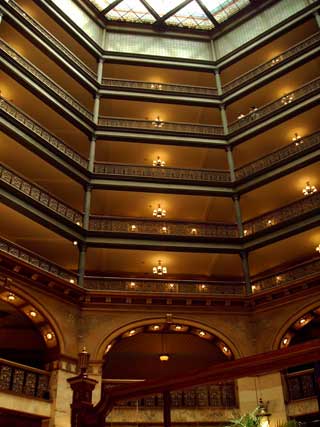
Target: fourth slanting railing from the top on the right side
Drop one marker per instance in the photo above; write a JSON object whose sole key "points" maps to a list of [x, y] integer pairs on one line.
{"points": [[282, 215]]}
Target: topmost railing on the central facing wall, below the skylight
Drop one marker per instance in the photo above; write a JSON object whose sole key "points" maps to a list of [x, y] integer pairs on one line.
{"points": [[159, 87]]}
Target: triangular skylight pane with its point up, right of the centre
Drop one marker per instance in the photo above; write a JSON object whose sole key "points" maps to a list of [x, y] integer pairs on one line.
{"points": [[190, 16]]}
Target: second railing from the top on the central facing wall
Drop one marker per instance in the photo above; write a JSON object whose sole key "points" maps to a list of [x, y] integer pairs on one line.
{"points": [[151, 125]]}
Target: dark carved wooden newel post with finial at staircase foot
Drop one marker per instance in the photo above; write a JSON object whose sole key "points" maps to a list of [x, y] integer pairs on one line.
{"points": [[82, 387]]}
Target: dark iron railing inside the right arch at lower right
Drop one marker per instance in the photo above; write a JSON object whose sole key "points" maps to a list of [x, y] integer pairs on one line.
{"points": [[301, 385]]}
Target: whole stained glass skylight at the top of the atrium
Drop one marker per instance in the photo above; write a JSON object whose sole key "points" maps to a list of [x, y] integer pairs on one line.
{"points": [[196, 14]]}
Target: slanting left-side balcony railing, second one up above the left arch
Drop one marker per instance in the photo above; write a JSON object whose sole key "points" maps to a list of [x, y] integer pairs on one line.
{"points": [[41, 196]]}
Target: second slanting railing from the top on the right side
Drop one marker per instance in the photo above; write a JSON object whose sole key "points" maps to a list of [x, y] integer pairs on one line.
{"points": [[276, 106]]}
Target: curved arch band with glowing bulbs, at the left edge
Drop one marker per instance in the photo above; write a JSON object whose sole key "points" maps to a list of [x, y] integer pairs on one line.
{"points": [[32, 309]]}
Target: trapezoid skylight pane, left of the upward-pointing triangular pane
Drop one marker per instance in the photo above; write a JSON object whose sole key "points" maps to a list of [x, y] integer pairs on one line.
{"points": [[131, 11]]}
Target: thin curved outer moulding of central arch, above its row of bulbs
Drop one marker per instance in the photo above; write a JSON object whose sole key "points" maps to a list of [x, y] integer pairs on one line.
{"points": [[109, 339]]}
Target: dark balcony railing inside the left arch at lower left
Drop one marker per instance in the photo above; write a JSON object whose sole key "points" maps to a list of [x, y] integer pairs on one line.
{"points": [[24, 380]]}
